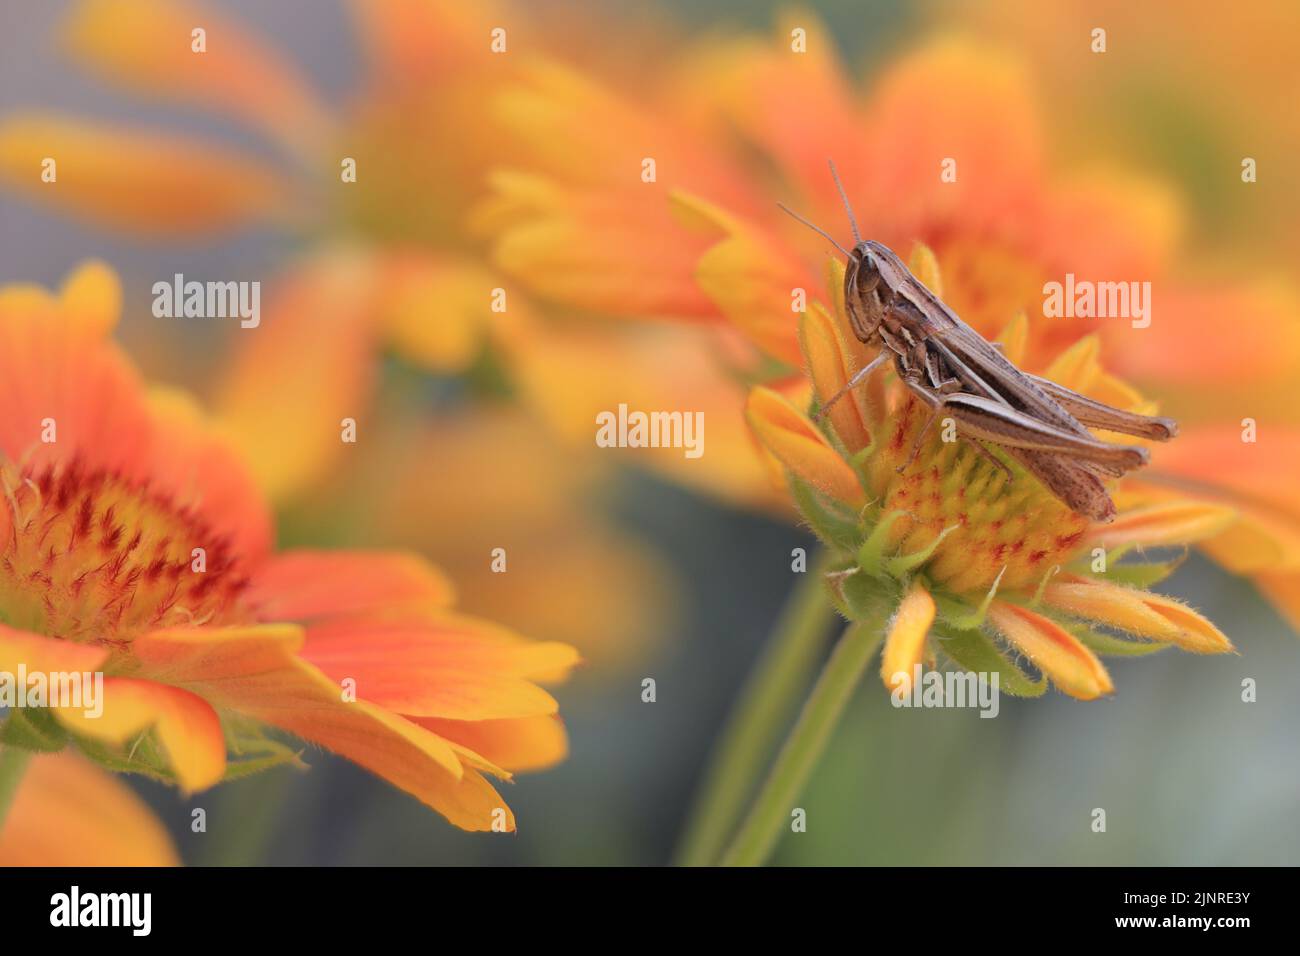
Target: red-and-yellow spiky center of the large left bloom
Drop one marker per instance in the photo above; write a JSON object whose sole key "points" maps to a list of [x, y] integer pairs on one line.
{"points": [[92, 557]]}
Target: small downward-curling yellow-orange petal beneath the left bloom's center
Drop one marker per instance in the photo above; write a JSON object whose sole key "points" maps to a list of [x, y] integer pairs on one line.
{"points": [[187, 726]]}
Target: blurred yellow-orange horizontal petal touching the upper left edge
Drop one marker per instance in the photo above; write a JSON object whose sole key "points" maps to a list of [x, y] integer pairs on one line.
{"points": [[138, 181]]}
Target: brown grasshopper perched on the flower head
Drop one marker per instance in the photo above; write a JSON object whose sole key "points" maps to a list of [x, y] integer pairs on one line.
{"points": [[956, 373]]}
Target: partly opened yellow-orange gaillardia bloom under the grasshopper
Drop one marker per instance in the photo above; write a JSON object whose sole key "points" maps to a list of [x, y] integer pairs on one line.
{"points": [[964, 563]]}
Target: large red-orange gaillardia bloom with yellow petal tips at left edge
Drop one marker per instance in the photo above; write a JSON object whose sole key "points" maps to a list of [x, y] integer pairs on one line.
{"points": [[133, 543]]}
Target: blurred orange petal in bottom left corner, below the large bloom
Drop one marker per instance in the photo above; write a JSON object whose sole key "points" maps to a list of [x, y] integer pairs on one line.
{"points": [[71, 814]]}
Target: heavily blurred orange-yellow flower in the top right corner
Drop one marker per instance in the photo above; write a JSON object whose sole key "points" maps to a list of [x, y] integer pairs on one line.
{"points": [[1207, 94]]}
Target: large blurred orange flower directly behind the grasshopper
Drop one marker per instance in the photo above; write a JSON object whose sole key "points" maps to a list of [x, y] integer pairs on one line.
{"points": [[1004, 223]]}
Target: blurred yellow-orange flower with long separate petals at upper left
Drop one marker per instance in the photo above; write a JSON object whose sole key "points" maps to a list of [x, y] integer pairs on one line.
{"points": [[393, 250]]}
